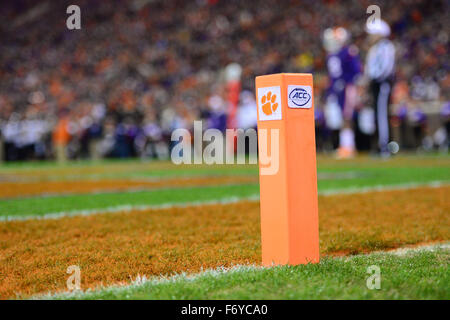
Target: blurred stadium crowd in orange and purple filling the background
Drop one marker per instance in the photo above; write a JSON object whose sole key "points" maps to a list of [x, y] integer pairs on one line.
{"points": [[139, 69]]}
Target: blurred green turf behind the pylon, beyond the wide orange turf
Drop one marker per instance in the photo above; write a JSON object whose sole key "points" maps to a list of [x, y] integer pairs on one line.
{"points": [[336, 176]]}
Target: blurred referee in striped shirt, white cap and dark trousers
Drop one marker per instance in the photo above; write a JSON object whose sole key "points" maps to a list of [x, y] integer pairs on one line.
{"points": [[380, 67]]}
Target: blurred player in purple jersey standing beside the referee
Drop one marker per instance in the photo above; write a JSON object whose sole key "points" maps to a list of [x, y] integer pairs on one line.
{"points": [[344, 67]]}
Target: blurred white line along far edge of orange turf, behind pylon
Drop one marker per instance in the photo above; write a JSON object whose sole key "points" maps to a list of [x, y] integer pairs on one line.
{"points": [[228, 200]]}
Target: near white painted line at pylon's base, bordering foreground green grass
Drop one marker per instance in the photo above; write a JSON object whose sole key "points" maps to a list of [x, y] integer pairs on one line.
{"points": [[218, 272]]}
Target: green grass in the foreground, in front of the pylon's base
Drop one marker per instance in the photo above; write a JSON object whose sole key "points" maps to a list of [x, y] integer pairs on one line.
{"points": [[414, 275]]}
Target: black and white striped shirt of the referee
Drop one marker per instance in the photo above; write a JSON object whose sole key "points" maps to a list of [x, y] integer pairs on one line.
{"points": [[380, 61]]}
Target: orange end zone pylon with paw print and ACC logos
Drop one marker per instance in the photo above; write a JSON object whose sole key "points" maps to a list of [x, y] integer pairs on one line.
{"points": [[288, 189]]}
